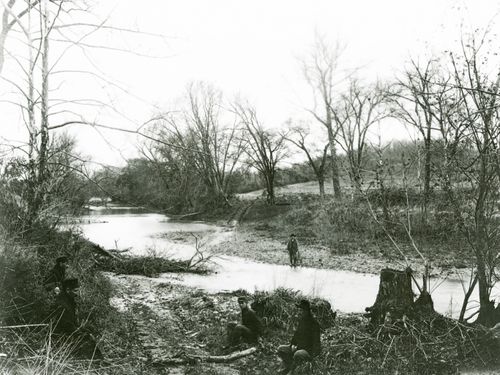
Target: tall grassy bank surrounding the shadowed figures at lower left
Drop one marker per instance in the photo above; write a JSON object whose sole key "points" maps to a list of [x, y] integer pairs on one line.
{"points": [[25, 301]]}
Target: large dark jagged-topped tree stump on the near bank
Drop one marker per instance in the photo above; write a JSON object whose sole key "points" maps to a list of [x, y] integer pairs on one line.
{"points": [[394, 297]]}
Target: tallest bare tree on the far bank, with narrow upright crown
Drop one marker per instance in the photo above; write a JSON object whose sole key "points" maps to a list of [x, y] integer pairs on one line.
{"points": [[321, 73]]}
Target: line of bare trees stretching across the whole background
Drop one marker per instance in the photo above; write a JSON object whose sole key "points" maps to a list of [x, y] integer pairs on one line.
{"points": [[202, 150]]}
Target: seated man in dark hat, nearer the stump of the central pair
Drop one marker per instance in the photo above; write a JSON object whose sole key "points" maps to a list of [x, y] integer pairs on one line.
{"points": [[305, 343]]}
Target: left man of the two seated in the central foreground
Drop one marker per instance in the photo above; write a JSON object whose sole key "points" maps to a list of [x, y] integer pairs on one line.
{"points": [[250, 328]]}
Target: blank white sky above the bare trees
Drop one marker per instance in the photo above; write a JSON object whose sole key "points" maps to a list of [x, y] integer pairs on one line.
{"points": [[246, 48]]}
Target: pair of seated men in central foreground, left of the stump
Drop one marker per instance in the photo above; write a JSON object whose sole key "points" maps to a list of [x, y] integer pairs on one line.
{"points": [[304, 345]]}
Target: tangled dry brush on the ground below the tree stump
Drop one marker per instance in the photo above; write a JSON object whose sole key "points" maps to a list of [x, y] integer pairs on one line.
{"points": [[432, 344]]}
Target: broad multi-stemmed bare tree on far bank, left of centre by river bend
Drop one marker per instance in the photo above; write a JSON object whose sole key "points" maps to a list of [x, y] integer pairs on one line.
{"points": [[203, 138]]}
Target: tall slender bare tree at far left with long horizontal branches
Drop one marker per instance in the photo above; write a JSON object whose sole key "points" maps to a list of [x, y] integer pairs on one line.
{"points": [[41, 25]]}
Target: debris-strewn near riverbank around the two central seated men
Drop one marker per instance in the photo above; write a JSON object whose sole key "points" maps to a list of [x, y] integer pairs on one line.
{"points": [[176, 322]]}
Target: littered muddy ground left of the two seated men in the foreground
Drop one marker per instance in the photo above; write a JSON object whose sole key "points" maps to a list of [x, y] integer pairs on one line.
{"points": [[176, 321]]}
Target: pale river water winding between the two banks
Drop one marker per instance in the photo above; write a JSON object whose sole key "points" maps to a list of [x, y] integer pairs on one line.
{"points": [[143, 233]]}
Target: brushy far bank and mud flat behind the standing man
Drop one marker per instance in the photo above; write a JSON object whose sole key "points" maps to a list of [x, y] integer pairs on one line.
{"points": [[344, 235]]}
